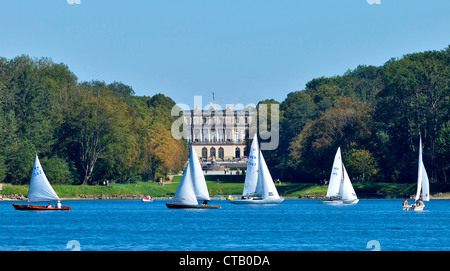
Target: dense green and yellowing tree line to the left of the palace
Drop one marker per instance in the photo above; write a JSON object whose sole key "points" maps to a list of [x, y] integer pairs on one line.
{"points": [[83, 132]]}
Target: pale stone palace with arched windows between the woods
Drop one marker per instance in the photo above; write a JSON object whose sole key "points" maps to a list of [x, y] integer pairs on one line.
{"points": [[218, 133]]}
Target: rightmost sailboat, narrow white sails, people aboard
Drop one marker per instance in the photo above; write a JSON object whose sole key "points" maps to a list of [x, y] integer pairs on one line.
{"points": [[423, 186]]}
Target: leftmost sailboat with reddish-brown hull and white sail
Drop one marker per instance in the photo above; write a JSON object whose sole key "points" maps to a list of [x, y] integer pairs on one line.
{"points": [[40, 191]]}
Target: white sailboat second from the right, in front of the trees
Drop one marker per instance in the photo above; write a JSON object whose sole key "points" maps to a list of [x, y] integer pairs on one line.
{"points": [[340, 184]]}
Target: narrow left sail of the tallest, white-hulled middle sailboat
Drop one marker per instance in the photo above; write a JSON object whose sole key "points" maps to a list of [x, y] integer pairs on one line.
{"points": [[251, 174]]}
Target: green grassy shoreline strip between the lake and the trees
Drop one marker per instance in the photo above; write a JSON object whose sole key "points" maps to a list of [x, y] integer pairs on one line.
{"points": [[227, 185]]}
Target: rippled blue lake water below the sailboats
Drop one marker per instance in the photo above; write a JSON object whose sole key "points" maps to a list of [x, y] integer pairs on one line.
{"points": [[296, 224]]}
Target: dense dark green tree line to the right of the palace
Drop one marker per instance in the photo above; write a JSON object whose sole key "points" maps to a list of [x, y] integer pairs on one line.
{"points": [[375, 114]]}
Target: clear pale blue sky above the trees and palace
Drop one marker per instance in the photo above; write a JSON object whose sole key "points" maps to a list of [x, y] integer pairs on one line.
{"points": [[244, 50]]}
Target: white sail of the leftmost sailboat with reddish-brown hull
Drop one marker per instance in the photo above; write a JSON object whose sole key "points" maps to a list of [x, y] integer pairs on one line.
{"points": [[40, 189]]}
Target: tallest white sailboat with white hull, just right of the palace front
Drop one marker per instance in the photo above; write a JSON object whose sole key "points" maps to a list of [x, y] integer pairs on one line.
{"points": [[258, 185]]}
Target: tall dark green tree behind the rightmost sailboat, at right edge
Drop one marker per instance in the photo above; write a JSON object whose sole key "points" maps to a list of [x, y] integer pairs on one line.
{"points": [[414, 101]]}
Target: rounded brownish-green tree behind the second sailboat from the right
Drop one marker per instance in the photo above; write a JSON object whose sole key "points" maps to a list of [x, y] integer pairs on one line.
{"points": [[347, 123]]}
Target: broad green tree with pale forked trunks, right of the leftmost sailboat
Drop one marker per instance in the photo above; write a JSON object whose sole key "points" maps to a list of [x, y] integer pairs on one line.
{"points": [[93, 120]]}
